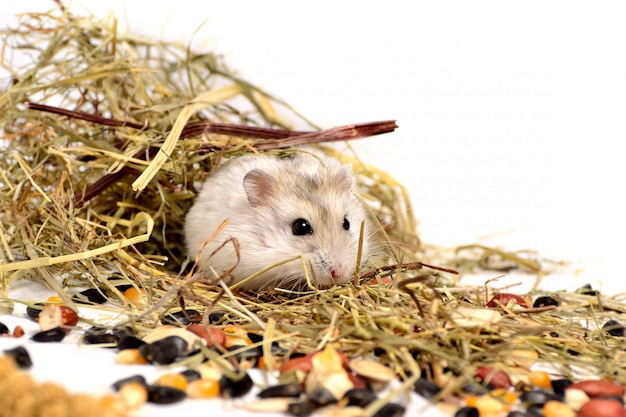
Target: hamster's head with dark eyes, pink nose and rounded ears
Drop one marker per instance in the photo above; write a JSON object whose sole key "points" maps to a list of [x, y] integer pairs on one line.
{"points": [[306, 209]]}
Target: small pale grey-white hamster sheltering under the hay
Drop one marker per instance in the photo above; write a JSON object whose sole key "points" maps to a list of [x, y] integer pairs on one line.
{"points": [[279, 208]]}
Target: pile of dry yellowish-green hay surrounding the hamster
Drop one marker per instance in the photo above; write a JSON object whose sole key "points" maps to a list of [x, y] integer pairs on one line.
{"points": [[105, 138]]}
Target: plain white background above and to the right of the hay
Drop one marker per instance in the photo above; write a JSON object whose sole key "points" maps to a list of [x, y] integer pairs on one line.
{"points": [[511, 114]]}
